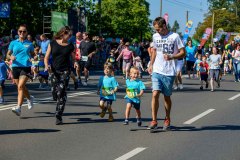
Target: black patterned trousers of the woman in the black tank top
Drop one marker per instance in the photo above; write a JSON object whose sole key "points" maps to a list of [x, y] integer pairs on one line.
{"points": [[59, 82]]}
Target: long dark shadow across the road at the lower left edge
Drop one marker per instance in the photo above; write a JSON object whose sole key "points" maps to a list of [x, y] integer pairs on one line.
{"points": [[4, 132]]}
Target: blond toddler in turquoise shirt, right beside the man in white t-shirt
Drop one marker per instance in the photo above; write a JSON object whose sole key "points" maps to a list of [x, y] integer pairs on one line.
{"points": [[135, 89]]}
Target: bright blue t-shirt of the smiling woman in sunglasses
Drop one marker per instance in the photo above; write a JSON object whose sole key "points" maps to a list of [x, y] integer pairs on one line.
{"points": [[21, 50]]}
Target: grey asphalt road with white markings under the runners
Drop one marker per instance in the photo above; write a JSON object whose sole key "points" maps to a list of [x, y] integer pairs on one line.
{"points": [[205, 125]]}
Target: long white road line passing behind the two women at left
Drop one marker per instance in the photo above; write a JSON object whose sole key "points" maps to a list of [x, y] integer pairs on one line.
{"points": [[45, 100]]}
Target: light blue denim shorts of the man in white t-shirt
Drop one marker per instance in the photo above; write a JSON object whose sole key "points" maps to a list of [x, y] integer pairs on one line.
{"points": [[162, 83]]}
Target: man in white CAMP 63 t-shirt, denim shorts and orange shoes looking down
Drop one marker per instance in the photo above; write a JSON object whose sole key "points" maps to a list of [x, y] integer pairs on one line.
{"points": [[168, 47]]}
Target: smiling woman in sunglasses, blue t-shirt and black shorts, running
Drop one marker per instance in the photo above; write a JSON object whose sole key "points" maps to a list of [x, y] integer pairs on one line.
{"points": [[20, 51]]}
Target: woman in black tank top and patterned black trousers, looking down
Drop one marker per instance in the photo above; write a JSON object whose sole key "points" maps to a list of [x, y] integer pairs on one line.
{"points": [[61, 51]]}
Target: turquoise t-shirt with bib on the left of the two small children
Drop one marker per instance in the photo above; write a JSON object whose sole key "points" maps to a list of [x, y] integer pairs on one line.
{"points": [[107, 85]]}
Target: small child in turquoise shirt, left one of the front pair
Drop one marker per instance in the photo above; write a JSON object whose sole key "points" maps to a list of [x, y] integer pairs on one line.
{"points": [[107, 88]]}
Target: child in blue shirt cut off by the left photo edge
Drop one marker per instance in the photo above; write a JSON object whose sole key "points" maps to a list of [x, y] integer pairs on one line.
{"points": [[3, 74]]}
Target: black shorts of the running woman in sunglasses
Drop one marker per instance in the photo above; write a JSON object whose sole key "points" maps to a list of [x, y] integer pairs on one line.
{"points": [[21, 71]]}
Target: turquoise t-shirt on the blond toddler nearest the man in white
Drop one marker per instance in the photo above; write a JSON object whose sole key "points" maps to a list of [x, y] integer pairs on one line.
{"points": [[134, 87]]}
